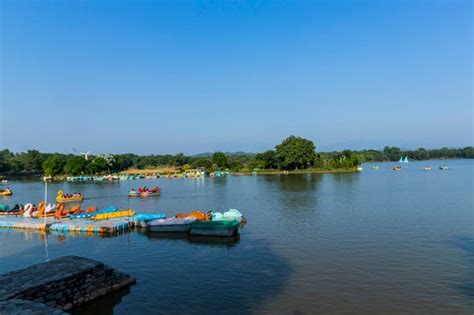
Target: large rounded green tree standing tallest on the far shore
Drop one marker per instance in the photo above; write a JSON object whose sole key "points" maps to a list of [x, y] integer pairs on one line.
{"points": [[295, 152]]}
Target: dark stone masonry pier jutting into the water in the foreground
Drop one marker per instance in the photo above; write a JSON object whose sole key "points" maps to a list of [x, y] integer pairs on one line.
{"points": [[58, 285]]}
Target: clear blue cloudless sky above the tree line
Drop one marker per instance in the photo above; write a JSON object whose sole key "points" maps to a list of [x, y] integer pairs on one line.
{"points": [[198, 76]]}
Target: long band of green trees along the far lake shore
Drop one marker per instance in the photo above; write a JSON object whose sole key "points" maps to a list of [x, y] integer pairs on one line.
{"points": [[294, 153]]}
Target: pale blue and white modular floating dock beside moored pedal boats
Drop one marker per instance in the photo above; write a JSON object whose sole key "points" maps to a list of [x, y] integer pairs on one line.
{"points": [[110, 226]]}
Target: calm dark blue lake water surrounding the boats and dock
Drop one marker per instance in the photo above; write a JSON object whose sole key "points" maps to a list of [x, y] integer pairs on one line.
{"points": [[369, 242]]}
